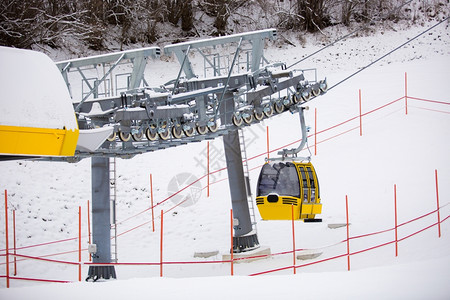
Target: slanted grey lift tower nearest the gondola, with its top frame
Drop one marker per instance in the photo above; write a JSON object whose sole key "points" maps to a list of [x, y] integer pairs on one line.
{"points": [[247, 58]]}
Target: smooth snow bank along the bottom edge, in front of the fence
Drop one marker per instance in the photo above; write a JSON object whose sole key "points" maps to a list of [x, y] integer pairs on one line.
{"points": [[425, 278]]}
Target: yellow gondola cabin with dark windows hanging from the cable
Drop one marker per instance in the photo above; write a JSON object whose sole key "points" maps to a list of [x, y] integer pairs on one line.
{"points": [[283, 184]]}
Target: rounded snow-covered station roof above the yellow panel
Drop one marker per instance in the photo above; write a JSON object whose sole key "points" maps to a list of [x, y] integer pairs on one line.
{"points": [[34, 93]]}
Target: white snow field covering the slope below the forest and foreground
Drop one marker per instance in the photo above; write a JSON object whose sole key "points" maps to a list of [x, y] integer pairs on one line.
{"points": [[394, 148]]}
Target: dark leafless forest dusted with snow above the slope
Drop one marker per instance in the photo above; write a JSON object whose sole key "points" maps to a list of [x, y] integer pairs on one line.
{"points": [[98, 23]]}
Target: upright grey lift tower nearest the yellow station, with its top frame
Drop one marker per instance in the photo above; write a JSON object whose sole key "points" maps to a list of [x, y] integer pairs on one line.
{"points": [[93, 104]]}
